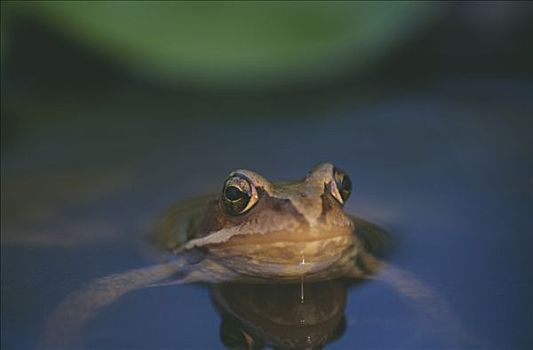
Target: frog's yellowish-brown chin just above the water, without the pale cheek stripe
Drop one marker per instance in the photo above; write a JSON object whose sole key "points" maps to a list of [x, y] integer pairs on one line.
{"points": [[286, 259]]}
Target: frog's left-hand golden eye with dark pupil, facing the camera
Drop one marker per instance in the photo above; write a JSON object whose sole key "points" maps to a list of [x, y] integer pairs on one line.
{"points": [[239, 195]]}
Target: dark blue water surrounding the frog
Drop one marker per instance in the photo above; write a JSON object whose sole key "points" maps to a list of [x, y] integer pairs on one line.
{"points": [[447, 170]]}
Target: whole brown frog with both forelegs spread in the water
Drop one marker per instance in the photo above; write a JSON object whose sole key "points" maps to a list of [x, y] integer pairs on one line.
{"points": [[253, 231]]}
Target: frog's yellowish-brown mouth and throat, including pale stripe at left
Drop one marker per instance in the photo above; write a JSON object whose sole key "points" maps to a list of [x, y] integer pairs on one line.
{"points": [[283, 253]]}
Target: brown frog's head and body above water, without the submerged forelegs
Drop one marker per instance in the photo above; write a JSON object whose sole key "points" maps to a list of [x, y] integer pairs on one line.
{"points": [[258, 230]]}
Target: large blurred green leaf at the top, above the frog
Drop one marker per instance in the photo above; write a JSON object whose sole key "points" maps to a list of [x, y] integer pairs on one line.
{"points": [[236, 43]]}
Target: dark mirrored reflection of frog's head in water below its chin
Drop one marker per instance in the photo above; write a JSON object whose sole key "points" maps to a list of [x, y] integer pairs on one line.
{"points": [[287, 321]]}
